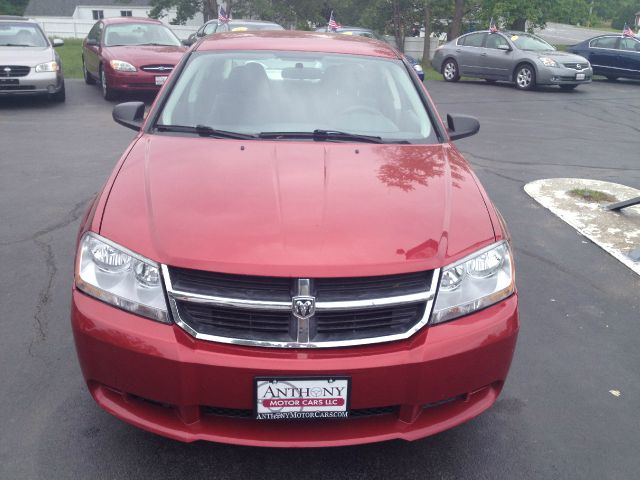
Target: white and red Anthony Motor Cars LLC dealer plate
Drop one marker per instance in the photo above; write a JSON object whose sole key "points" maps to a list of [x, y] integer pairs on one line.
{"points": [[287, 398]]}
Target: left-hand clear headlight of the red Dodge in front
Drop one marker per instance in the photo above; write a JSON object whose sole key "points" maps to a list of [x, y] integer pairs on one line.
{"points": [[118, 276]]}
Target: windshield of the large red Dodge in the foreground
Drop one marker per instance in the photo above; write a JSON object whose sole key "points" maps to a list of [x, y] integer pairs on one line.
{"points": [[261, 92]]}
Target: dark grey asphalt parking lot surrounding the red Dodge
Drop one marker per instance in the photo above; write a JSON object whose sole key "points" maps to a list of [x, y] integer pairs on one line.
{"points": [[580, 308]]}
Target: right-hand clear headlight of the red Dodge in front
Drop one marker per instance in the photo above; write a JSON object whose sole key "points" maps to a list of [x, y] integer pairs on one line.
{"points": [[475, 282]]}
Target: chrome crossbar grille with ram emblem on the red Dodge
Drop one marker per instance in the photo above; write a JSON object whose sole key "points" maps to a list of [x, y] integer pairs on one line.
{"points": [[259, 311]]}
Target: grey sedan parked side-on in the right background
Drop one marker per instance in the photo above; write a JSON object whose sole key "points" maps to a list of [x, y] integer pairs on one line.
{"points": [[518, 57]]}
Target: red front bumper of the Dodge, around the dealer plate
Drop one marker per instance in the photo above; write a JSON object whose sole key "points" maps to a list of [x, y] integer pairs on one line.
{"points": [[160, 379]]}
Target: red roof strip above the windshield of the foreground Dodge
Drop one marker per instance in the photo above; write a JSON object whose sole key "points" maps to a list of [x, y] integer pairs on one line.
{"points": [[286, 40]]}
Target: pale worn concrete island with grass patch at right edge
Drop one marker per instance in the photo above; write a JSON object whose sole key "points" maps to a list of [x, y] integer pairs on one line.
{"points": [[616, 232]]}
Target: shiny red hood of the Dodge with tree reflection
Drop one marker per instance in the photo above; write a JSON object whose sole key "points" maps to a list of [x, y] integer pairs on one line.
{"points": [[296, 208]]}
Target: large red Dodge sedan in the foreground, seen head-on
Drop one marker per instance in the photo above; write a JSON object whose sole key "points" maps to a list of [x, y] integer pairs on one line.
{"points": [[292, 253]]}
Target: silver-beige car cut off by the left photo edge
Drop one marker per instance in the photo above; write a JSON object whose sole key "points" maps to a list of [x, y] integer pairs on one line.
{"points": [[29, 65]]}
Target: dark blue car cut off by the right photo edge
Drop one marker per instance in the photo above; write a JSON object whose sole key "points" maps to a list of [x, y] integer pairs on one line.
{"points": [[613, 56]]}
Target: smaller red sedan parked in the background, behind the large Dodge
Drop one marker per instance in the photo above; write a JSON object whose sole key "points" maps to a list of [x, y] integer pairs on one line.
{"points": [[129, 54]]}
